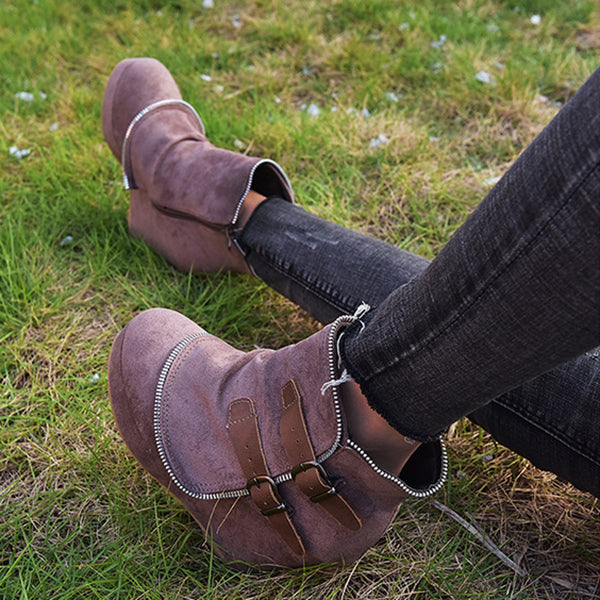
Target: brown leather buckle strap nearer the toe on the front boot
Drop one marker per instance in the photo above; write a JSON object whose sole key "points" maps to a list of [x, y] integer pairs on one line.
{"points": [[242, 423]]}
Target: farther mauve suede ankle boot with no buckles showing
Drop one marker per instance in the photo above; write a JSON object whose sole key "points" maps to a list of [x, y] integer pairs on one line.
{"points": [[186, 194]]}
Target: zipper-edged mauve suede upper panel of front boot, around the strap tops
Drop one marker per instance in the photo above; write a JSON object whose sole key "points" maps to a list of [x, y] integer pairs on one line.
{"points": [[207, 376]]}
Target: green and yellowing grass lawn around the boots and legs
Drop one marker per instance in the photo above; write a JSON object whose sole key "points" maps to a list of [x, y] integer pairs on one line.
{"points": [[77, 515]]}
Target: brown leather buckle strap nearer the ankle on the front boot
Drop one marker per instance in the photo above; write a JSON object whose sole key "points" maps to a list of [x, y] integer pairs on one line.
{"points": [[310, 475]]}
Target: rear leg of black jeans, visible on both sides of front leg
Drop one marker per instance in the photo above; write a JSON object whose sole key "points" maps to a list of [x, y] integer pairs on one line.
{"points": [[329, 270]]}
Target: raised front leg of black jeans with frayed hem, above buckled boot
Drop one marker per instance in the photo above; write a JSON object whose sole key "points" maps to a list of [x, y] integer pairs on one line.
{"points": [[514, 293]]}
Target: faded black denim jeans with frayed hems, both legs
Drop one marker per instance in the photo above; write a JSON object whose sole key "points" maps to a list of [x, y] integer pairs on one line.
{"points": [[524, 269]]}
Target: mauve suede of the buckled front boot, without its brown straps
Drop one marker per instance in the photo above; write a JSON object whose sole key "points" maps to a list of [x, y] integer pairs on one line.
{"points": [[204, 379]]}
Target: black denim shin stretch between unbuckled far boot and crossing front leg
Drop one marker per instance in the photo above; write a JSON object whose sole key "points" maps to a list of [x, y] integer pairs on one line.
{"points": [[324, 268]]}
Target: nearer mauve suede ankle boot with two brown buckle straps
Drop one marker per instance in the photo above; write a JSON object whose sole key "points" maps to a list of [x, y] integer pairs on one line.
{"points": [[255, 445]]}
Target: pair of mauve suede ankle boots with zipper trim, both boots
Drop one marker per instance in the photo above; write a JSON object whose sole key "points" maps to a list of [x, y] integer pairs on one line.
{"points": [[255, 445]]}
